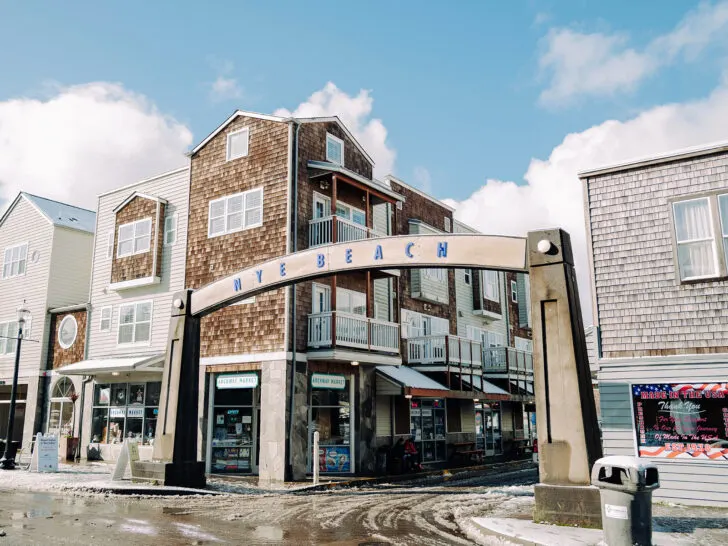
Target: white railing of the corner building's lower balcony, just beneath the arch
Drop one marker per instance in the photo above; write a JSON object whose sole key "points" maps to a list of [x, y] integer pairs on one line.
{"points": [[351, 330]]}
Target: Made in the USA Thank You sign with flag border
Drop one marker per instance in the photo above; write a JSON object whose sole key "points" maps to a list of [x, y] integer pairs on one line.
{"points": [[682, 421]]}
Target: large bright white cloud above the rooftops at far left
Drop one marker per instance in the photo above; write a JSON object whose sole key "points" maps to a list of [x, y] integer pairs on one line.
{"points": [[84, 140]]}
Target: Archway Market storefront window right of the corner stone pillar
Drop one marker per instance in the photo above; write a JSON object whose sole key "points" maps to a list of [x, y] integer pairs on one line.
{"points": [[330, 415]]}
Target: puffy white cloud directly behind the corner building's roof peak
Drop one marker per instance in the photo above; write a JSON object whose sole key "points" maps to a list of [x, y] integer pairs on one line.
{"points": [[355, 113]]}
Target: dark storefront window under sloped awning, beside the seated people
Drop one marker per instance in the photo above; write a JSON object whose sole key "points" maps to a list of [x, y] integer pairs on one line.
{"points": [[427, 426]]}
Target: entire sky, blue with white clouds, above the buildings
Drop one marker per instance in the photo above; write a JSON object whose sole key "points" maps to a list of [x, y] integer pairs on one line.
{"points": [[491, 106]]}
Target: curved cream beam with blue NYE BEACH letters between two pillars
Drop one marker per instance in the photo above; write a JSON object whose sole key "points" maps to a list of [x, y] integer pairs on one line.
{"points": [[402, 252]]}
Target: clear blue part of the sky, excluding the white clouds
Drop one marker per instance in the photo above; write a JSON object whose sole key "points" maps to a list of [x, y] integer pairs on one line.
{"points": [[457, 89]]}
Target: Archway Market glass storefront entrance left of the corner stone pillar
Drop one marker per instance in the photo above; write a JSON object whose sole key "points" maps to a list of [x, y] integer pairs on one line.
{"points": [[234, 423]]}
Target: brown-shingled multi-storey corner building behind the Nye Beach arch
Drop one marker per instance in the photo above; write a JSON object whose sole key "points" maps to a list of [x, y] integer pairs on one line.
{"points": [[263, 186]]}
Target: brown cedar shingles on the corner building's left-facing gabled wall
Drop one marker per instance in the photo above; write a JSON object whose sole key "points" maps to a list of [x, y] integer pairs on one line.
{"points": [[256, 327]]}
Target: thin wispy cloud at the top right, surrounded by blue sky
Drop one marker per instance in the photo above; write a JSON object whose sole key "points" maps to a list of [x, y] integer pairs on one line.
{"points": [[599, 64]]}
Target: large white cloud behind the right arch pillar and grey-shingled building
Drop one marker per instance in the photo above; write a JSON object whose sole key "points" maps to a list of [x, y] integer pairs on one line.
{"points": [[552, 195]]}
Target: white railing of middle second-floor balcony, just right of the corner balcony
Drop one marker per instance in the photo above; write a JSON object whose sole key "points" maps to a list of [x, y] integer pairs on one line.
{"points": [[444, 349]]}
